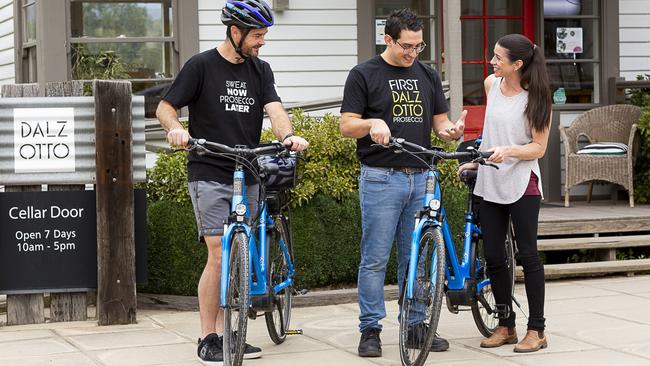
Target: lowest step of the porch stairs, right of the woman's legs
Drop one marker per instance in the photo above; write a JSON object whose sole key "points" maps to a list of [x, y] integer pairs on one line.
{"points": [[554, 271]]}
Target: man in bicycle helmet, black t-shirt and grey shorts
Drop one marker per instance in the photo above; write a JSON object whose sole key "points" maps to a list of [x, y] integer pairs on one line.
{"points": [[227, 89]]}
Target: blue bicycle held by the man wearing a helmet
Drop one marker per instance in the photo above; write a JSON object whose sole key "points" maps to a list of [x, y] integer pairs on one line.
{"points": [[257, 259]]}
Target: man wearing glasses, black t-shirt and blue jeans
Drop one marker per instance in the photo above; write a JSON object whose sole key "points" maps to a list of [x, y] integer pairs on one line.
{"points": [[392, 94]]}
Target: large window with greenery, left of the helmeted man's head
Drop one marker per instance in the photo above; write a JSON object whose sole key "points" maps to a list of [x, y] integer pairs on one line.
{"points": [[131, 40]]}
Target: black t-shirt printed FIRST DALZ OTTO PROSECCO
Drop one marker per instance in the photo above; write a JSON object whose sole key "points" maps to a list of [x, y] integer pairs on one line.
{"points": [[406, 98]]}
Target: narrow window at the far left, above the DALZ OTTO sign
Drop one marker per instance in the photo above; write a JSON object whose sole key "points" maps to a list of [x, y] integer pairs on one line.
{"points": [[28, 59]]}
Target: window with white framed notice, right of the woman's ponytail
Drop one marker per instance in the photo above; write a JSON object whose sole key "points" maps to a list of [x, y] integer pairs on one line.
{"points": [[571, 46]]}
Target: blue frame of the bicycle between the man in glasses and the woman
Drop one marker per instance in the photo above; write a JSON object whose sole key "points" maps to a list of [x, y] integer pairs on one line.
{"points": [[433, 215]]}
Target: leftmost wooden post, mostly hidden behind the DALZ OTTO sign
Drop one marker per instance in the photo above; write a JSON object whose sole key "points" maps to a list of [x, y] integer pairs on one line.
{"points": [[23, 308]]}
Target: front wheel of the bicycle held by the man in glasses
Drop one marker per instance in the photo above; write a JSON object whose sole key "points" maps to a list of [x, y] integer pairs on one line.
{"points": [[418, 321]]}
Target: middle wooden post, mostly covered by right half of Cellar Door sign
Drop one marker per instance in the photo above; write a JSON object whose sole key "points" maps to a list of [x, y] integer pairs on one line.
{"points": [[66, 306]]}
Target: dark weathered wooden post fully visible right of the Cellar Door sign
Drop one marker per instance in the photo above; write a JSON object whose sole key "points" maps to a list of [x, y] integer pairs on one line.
{"points": [[116, 292]]}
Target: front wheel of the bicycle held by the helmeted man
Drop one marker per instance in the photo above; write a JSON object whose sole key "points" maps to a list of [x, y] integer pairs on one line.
{"points": [[237, 300]]}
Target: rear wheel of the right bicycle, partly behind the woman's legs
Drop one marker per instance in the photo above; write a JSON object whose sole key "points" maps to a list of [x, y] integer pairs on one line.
{"points": [[485, 322]]}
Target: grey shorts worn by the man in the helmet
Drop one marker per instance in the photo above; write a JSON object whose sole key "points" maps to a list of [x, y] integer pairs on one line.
{"points": [[211, 201]]}
